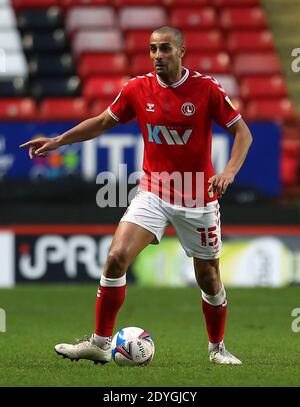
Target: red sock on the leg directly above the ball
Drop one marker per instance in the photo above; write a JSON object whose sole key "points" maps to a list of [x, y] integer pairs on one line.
{"points": [[109, 301]]}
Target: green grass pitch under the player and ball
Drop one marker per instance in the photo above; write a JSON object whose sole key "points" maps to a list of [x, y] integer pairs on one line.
{"points": [[258, 331]]}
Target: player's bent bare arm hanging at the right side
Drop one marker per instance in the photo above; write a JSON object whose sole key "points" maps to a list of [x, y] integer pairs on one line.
{"points": [[242, 142]]}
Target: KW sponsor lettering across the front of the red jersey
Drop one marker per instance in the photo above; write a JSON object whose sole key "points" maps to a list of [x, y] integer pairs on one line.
{"points": [[158, 133]]}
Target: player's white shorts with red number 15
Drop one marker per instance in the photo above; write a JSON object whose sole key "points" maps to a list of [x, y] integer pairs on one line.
{"points": [[198, 229]]}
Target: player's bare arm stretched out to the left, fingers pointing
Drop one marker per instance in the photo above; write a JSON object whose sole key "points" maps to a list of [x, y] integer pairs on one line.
{"points": [[86, 130]]}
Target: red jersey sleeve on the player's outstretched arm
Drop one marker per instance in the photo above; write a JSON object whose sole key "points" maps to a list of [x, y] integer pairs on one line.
{"points": [[121, 109]]}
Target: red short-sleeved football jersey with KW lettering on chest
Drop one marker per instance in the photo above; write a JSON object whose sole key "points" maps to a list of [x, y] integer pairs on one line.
{"points": [[176, 122]]}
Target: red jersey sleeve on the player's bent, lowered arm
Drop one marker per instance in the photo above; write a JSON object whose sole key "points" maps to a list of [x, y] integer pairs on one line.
{"points": [[223, 111]]}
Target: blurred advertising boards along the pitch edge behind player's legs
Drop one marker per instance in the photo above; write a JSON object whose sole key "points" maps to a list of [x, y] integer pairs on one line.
{"points": [[253, 256]]}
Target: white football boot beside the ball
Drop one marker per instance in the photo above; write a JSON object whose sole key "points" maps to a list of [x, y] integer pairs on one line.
{"points": [[85, 349]]}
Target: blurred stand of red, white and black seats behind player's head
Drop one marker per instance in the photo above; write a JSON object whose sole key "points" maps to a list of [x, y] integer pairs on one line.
{"points": [[72, 46]]}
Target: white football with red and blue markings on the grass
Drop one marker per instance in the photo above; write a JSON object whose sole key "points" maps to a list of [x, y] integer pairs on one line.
{"points": [[132, 346]]}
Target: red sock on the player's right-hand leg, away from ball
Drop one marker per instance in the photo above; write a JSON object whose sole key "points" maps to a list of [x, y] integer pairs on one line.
{"points": [[215, 318]]}
